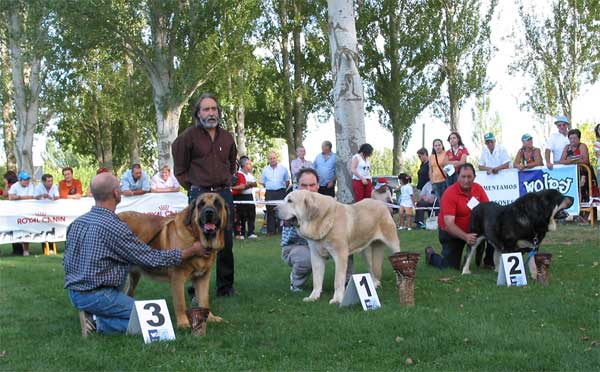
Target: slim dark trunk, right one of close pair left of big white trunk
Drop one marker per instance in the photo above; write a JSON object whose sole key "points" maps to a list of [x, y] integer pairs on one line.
{"points": [[299, 122]]}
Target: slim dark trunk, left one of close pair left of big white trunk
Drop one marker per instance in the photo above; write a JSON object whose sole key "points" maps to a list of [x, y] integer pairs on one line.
{"points": [[285, 60]]}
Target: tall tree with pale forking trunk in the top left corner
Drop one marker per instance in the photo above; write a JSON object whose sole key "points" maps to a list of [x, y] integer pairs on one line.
{"points": [[26, 23]]}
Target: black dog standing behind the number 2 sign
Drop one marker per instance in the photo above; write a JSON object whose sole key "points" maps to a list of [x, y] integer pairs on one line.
{"points": [[519, 226]]}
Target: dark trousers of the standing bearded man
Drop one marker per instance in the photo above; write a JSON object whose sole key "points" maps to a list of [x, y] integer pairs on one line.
{"points": [[225, 263]]}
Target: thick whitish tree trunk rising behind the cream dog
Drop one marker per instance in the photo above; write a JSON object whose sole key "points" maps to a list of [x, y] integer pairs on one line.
{"points": [[347, 92]]}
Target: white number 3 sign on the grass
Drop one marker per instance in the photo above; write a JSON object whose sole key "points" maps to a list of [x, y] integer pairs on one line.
{"points": [[151, 319]]}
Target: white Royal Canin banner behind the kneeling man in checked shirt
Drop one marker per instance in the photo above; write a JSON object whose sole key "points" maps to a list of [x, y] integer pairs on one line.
{"points": [[47, 221]]}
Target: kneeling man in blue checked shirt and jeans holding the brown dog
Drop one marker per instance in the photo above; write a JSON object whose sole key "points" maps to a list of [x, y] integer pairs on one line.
{"points": [[99, 250]]}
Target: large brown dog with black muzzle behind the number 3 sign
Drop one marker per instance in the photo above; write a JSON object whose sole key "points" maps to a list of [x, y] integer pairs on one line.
{"points": [[204, 220]]}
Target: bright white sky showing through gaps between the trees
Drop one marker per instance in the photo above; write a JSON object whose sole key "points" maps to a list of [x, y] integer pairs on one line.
{"points": [[505, 99]]}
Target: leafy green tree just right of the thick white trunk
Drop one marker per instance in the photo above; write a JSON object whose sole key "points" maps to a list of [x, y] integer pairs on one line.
{"points": [[402, 74]]}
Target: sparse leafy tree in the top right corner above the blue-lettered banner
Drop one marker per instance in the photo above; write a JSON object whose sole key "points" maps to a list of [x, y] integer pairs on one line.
{"points": [[560, 53]]}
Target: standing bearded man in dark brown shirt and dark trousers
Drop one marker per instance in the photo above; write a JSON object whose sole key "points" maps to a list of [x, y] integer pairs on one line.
{"points": [[204, 157]]}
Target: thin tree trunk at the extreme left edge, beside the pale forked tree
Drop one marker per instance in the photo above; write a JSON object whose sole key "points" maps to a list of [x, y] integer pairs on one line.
{"points": [[7, 119]]}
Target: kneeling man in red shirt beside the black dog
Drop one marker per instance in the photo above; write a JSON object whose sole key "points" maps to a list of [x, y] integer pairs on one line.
{"points": [[454, 219]]}
